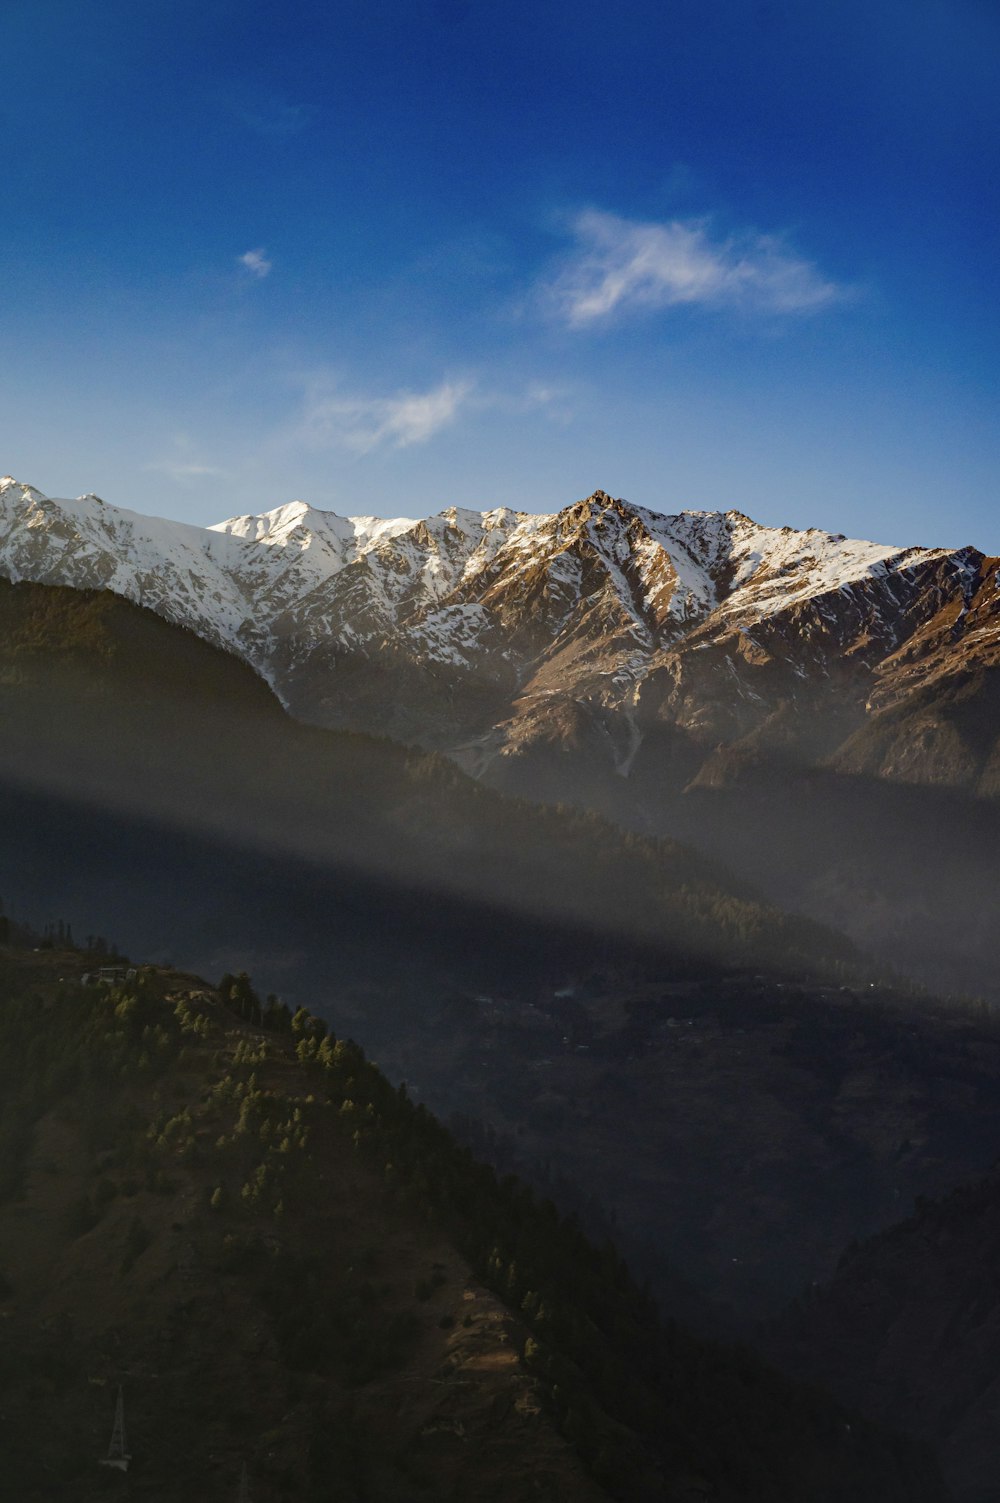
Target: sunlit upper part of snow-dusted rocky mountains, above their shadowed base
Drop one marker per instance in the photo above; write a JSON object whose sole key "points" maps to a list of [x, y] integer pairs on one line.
{"points": [[604, 640]]}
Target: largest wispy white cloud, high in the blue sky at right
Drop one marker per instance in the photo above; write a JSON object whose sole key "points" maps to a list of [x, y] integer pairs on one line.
{"points": [[628, 267]]}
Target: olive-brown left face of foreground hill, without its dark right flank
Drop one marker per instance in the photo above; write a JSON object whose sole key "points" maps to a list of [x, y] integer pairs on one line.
{"points": [[132, 1257]]}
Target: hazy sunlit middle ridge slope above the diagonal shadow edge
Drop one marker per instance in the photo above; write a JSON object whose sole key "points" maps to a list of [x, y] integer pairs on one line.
{"points": [[111, 707]]}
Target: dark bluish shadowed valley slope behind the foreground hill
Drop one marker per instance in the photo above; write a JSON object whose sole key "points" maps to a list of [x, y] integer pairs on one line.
{"points": [[736, 1134]]}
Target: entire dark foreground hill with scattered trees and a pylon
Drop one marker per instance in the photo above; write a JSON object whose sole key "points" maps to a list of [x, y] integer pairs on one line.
{"points": [[283, 1263]]}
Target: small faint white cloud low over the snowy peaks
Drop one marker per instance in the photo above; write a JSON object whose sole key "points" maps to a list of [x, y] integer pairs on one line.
{"points": [[365, 423]]}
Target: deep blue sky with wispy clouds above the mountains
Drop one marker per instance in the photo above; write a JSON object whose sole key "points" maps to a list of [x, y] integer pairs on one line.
{"points": [[390, 256]]}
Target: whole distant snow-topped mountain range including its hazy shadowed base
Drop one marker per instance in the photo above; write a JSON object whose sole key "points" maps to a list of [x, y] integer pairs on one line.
{"points": [[816, 712]]}
